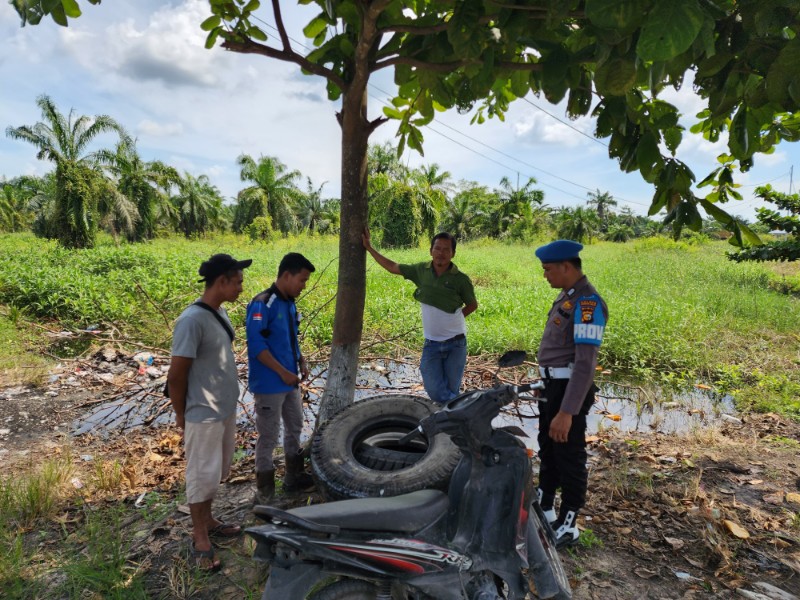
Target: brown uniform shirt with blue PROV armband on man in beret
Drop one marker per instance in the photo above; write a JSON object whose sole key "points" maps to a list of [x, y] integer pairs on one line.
{"points": [[572, 336]]}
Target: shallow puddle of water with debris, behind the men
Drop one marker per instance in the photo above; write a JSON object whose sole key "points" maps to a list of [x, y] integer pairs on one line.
{"points": [[617, 407]]}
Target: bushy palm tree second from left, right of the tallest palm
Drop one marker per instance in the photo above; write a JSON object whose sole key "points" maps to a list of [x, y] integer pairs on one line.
{"points": [[142, 183]]}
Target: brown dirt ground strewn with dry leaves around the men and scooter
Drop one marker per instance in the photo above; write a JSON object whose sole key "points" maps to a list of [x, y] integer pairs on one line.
{"points": [[711, 514]]}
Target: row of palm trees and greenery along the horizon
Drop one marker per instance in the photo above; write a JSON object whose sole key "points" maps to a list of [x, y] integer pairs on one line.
{"points": [[117, 191]]}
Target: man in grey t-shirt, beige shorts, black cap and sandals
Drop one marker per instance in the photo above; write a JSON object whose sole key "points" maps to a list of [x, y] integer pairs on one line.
{"points": [[204, 388]]}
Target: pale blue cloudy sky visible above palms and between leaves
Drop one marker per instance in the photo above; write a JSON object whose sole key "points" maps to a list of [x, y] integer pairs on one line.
{"points": [[144, 64]]}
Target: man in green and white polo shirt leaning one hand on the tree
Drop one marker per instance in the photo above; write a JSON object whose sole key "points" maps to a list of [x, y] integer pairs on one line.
{"points": [[446, 297]]}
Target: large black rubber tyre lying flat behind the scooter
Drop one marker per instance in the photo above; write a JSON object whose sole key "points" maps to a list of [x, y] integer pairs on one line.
{"points": [[345, 463]]}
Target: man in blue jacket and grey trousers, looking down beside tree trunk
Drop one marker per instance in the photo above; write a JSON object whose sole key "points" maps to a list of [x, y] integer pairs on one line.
{"points": [[276, 367]]}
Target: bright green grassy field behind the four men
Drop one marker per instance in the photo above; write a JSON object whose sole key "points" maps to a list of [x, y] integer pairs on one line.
{"points": [[679, 311]]}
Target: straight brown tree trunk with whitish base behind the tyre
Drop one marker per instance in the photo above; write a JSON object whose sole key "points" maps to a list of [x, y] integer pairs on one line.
{"points": [[349, 317]]}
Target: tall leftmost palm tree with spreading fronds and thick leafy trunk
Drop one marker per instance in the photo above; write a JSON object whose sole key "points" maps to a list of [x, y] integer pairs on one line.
{"points": [[63, 141]]}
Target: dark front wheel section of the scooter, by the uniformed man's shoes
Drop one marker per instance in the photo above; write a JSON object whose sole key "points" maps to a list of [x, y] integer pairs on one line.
{"points": [[545, 566]]}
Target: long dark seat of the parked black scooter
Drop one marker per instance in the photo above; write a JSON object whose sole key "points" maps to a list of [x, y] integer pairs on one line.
{"points": [[406, 513]]}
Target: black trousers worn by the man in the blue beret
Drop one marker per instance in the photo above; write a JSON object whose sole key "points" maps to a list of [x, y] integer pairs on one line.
{"points": [[563, 464]]}
